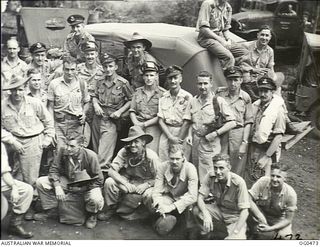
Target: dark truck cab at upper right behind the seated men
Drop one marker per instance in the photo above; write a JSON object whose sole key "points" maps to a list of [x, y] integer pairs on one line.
{"points": [[283, 16]]}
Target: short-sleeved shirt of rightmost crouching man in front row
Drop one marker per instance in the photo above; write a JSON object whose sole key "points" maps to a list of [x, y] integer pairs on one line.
{"points": [[274, 206]]}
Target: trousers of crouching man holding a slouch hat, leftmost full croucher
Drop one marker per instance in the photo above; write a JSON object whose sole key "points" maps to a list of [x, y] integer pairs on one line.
{"points": [[93, 198]]}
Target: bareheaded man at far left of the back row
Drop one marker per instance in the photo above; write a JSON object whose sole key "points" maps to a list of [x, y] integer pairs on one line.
{"points": [[12, 64]]}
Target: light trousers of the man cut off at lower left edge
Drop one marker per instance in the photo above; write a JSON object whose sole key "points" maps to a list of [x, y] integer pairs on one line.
{"points": [[25, 196]]}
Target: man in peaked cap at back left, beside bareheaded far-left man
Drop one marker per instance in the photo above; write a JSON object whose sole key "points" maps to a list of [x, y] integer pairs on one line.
{"points": [[49, 69]]}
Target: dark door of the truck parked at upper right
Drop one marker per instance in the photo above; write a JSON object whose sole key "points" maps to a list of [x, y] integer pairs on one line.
{"points": [[287, 25]]}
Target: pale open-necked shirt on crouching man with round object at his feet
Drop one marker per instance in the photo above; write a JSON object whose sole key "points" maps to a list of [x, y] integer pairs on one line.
{"points": [[184, 191]]}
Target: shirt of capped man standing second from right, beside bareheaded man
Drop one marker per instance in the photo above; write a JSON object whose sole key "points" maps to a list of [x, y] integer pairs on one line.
{"points": [[241, 107]]}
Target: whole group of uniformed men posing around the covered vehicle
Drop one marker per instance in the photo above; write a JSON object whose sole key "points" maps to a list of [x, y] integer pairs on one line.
{"points": [[184, 158]]}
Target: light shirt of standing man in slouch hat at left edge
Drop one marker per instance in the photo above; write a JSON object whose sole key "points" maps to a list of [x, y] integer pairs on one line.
{"points": [[32, 119]]}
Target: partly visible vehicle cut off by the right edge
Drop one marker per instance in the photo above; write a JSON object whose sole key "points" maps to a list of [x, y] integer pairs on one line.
{"points": [[305, 96]]}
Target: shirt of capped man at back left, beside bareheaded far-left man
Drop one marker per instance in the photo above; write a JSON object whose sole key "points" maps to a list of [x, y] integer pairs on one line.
{"points": [[50, 70]]}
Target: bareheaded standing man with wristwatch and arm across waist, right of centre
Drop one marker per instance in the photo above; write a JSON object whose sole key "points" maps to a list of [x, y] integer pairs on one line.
{"points": [[205, 128]]}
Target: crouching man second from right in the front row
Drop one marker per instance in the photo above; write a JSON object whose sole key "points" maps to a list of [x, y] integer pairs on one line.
{"points": [[223, 201]]}
